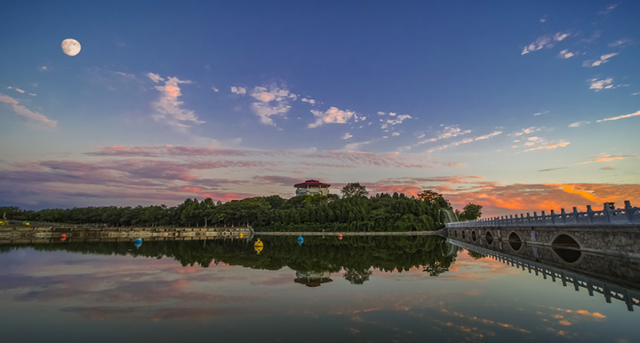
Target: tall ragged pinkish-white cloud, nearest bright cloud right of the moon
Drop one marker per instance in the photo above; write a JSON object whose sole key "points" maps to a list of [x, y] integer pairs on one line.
{"points": [[168, 108]]}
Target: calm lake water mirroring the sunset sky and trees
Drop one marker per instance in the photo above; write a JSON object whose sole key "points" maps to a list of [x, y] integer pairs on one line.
{"points": [[359, 289]]}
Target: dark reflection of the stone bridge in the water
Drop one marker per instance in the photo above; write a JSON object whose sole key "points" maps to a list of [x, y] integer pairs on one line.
{"points": [[614, 277]]}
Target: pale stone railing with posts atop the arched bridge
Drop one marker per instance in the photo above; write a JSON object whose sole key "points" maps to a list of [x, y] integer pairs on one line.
{"points": [[608, 215]]}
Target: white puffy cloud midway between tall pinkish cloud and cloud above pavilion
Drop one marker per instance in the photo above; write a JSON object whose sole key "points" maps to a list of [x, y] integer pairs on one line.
{"points": [[271, 101]]}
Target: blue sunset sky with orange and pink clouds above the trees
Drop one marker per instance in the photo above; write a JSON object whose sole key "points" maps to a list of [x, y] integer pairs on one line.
{"points": [[517, 106]]}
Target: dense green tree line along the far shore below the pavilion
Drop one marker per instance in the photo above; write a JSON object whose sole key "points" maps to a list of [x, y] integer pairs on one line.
{"points": [[354, 211]]}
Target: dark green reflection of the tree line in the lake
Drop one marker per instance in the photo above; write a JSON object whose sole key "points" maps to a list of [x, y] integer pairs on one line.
{"points": [[355, 255]]}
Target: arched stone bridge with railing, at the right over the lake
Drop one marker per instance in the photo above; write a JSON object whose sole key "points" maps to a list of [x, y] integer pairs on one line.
{"points": [[610, 231]]}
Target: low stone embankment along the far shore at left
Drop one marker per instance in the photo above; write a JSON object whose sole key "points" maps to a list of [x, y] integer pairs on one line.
{"points": [[42, 234]]}
